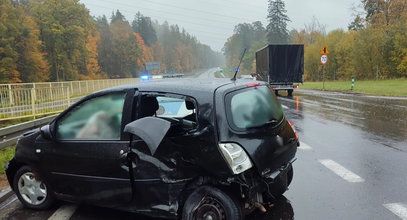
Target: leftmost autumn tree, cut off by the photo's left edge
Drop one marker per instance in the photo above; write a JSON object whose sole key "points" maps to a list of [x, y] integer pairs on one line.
{"points": [[21, 58]]}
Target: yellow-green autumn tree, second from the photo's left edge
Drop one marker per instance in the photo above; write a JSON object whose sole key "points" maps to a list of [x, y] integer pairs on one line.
{"points": [[64, 26]]}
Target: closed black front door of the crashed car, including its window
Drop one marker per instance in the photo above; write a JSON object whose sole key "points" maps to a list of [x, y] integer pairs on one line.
{"points": [[84, 161]]}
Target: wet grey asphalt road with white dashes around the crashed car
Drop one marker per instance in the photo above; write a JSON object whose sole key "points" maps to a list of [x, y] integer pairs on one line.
{"points": [[351, 164]]}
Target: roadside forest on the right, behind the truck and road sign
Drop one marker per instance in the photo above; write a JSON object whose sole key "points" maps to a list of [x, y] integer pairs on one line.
{"points": [[373, 47]]}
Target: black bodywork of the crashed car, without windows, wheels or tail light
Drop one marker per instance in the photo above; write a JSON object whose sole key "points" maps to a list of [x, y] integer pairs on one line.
{"points": [[155, 176]]}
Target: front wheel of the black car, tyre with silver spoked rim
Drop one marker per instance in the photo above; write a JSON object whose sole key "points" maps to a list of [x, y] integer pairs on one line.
{"points": [[31, 190]]}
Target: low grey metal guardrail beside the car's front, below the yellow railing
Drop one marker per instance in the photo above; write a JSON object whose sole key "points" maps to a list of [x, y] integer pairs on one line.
{"points": [[9, 135]]}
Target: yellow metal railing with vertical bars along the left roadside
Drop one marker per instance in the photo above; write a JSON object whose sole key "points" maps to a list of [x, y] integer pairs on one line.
{"points": [[22, 100]]}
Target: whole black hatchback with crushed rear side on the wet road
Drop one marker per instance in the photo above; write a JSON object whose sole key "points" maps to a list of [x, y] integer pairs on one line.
{"points": [[185, 148]]}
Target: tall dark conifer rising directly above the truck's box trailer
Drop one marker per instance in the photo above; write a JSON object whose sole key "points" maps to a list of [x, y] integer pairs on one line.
{"points": [[277, 32]]}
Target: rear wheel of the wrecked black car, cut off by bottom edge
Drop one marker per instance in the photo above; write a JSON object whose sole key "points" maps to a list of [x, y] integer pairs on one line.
{"points": [[208, 202]]}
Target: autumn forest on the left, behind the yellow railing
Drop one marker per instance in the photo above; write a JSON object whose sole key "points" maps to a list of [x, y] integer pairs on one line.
{"points": [[58, 40]]}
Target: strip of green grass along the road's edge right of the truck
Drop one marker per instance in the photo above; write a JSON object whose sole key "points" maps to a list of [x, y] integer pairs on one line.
{"points": [[396, 87]]}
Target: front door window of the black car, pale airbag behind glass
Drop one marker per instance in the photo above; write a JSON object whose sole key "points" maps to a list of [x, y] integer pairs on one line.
{"points": [[95, 119]]}
